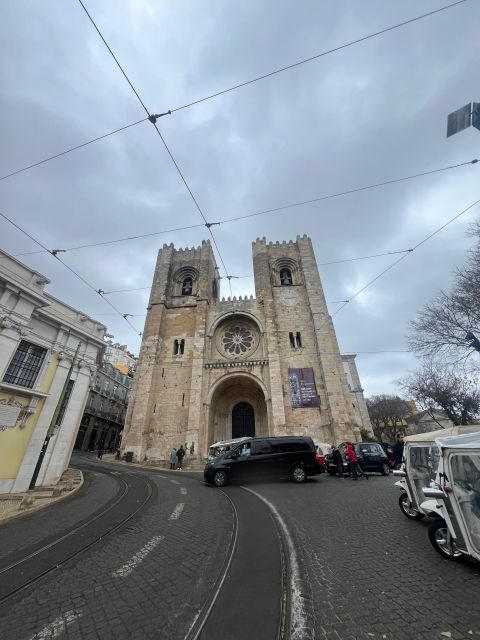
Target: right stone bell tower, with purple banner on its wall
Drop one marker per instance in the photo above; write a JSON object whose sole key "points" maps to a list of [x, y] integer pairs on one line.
{"points": [[300, 337]]}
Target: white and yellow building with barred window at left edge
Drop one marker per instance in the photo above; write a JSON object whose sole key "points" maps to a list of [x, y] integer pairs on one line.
{"points": [[38, 339]]}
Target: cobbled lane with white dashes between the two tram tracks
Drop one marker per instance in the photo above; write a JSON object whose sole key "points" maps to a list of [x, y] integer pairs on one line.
{"points": [[147, 580]]}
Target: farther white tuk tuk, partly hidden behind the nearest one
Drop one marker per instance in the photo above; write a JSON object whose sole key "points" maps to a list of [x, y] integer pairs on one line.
{"points": [[419, 467]]}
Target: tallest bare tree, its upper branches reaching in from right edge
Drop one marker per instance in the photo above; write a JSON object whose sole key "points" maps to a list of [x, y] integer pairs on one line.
{"points": [[448, 326]]}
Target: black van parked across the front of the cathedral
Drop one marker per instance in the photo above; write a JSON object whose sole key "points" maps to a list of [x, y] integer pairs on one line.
{"points": [[285, 457]]}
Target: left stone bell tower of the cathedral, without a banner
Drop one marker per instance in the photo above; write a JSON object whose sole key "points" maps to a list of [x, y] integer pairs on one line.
{"points": [[166, 400]]}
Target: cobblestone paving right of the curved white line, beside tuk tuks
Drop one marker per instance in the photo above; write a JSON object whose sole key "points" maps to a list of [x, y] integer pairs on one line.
{"points": [[369, 572]]}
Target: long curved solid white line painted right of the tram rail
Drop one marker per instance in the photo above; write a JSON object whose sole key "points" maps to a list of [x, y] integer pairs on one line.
{"points": [[299, 629]]}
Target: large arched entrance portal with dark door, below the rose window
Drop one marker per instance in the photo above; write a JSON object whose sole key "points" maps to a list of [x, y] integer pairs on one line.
{"points": [[237, 408]]}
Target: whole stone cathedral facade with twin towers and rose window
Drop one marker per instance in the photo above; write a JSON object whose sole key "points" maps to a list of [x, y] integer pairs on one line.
{"points": [[211, 369]]}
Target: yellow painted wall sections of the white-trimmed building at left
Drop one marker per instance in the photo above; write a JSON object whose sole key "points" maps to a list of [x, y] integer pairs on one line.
{"points": [[14, 442]]}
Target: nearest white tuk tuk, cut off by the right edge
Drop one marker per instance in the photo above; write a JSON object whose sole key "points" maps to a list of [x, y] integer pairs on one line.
{"points": [[455, 496]]}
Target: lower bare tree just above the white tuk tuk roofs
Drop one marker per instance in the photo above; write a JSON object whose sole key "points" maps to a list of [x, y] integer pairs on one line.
{"points": [[437, 386]]}
